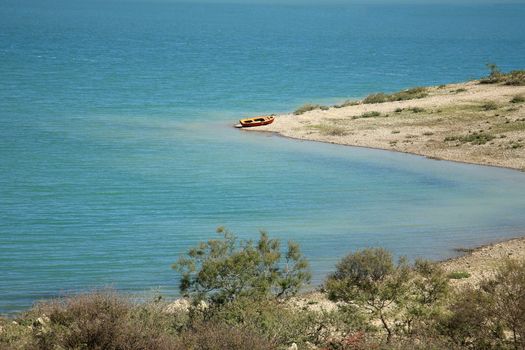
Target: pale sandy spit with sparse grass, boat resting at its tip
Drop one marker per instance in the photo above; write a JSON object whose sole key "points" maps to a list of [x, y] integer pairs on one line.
{"points": [[467, 122]]}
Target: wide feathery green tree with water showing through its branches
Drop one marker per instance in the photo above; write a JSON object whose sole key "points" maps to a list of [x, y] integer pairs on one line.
{"points": [[225, 269]]}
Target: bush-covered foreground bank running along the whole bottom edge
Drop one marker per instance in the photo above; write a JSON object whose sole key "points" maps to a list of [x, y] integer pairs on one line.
{"points": [[244, 295]]}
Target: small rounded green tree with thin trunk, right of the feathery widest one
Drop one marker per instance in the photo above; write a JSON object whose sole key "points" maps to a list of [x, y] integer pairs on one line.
{"points": [[370, 279]]}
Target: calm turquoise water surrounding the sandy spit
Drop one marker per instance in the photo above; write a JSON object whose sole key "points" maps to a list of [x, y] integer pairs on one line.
{"points": [[117, 151]]}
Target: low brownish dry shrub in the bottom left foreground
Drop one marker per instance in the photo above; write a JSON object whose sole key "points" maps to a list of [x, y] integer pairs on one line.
{"points": [[100, 320]]}
